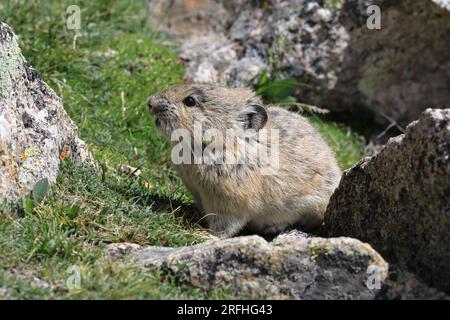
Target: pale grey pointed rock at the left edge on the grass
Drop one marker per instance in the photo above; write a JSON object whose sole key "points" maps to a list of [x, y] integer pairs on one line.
{"points": [[35, 131]]}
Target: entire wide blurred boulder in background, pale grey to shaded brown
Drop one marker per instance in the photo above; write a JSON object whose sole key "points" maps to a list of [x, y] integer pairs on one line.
{"points": [[395, 72]]}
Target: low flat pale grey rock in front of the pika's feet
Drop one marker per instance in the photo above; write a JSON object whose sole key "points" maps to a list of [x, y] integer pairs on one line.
{"points": [[291, 266]]}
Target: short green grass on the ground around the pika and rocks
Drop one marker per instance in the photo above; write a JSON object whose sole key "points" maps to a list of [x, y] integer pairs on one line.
{"points": [[104, 78]]}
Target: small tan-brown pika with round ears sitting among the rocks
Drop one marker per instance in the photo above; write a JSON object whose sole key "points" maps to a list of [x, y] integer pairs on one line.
{"points": [[240, 194]]}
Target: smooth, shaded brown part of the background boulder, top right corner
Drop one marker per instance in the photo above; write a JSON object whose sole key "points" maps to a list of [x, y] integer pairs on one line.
{"points": [[398, 71]]}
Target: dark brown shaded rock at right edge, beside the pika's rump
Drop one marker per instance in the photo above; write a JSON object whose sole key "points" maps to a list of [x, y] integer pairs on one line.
{"points": [[399, 200]]}
